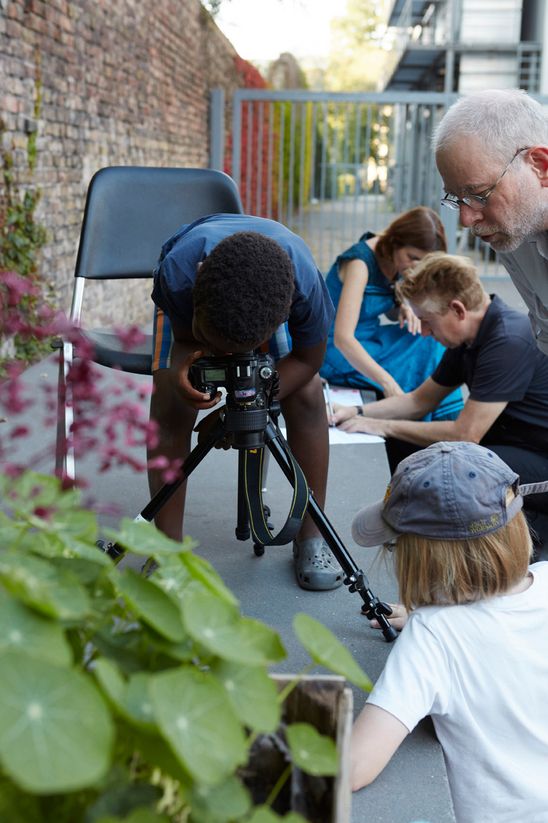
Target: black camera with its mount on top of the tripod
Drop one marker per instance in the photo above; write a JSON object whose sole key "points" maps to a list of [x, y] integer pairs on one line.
{"points": [[251, 383]]}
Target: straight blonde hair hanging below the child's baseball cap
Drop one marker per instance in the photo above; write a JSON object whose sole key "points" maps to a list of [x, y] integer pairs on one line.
{"points": [[448, 572]]}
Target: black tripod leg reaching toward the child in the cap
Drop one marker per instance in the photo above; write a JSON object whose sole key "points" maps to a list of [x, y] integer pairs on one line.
{"points": [[355, 578]]}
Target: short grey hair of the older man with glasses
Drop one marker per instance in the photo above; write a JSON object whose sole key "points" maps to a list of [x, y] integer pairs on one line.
{"points": [[504, 120]]}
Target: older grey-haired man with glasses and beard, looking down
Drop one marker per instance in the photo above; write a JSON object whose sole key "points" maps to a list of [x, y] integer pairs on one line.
{"points": [[492, 153]]}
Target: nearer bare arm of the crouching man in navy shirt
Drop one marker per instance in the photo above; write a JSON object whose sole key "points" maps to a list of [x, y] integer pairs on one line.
{"points": [[472, 424]]}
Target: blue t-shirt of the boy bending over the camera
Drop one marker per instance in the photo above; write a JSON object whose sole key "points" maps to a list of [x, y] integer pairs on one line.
{"points": [[311, 312]]}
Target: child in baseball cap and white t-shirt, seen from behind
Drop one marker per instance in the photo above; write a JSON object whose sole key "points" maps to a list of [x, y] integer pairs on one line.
{"points": [[473, 652]]}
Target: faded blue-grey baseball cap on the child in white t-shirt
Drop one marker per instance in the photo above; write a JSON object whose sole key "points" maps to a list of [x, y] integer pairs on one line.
{"points": [[448, 491]]}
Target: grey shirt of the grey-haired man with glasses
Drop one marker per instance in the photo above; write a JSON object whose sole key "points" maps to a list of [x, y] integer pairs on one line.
{"points": [[528, 268]]}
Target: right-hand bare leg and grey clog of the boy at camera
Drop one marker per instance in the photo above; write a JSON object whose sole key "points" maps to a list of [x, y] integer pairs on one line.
{"points": [[308, 438]]}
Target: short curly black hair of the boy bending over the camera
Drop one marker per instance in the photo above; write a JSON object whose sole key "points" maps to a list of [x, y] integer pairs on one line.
{"points": [[244, 287]]}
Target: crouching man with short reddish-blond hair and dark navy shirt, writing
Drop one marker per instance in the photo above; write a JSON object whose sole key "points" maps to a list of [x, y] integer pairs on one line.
{"points": [[491, 350]]}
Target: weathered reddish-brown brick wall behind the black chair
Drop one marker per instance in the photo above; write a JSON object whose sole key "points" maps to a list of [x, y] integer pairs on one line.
{"points": [[121, 82]]}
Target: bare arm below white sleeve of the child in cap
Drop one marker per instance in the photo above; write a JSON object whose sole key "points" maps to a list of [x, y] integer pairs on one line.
{"points": [[375, 737]]}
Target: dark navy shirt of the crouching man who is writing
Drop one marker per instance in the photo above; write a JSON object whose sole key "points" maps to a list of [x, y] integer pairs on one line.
{"points": [[503, 364]]}
